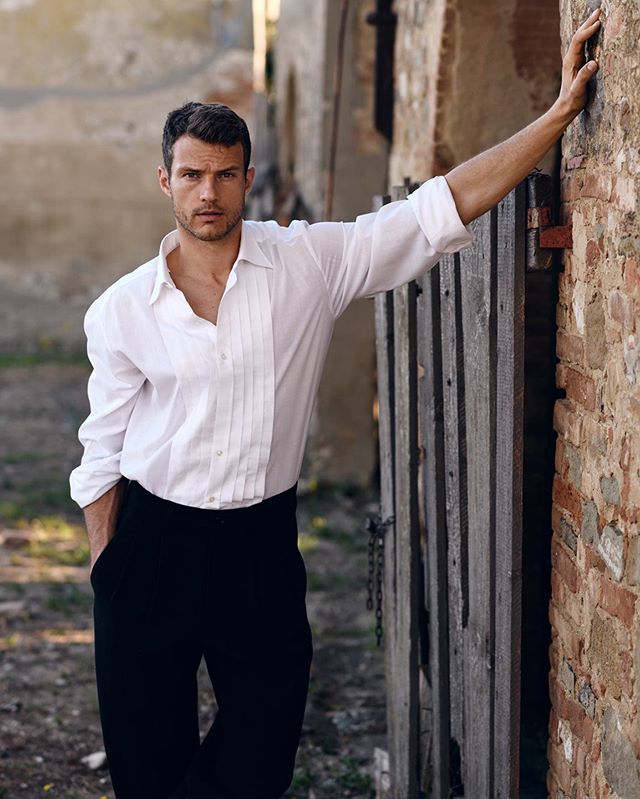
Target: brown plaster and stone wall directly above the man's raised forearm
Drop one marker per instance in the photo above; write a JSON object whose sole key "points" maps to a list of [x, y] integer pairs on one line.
{"points": [[469, 75]]}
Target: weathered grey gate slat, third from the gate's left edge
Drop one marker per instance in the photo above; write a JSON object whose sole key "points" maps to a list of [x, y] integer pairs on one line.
{"points": [[434, 768]]}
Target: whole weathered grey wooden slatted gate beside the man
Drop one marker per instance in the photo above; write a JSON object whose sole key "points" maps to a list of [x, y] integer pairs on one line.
{"points": [[450, 391]]}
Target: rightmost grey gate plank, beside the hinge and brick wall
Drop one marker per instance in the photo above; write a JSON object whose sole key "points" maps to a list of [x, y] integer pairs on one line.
{"points": [[511, 259]]}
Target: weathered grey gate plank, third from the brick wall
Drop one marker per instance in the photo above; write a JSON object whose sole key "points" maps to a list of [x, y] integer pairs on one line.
{"points": [[456, 568]]}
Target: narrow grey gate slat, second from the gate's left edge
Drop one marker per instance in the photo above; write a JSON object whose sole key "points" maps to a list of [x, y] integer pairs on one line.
{"points": [[404, 752]]}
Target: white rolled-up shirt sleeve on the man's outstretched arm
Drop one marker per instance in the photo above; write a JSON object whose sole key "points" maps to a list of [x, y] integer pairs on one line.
{"points": [[382, 250]]}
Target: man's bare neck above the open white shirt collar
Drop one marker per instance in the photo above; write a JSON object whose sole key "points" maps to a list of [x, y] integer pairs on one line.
{"points": [[205, 259]]}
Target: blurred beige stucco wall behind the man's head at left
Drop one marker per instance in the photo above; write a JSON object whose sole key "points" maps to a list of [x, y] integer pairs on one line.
{"points": [[85, 86]]}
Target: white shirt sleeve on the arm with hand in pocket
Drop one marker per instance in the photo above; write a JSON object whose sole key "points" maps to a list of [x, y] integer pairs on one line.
{"points": [[113, 387]]}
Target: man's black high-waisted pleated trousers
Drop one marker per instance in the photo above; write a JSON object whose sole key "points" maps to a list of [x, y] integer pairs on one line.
{"points": [[176, 584]]}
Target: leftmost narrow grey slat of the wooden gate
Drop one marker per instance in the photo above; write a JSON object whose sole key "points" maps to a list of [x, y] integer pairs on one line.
{"points": [[386, 441]]}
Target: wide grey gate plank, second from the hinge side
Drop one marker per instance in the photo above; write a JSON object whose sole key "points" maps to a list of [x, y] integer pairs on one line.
{"points": [[478, 316]]}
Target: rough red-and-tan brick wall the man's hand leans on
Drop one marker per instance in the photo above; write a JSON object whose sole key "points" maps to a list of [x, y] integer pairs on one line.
{"points": [[594, 744]]}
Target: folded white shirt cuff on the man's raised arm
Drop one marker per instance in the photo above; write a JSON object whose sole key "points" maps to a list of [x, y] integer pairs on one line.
{"points": [[438, 217]]}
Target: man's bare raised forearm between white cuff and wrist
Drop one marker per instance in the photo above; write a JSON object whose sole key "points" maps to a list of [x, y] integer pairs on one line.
{"points": [[478, 184]]}
